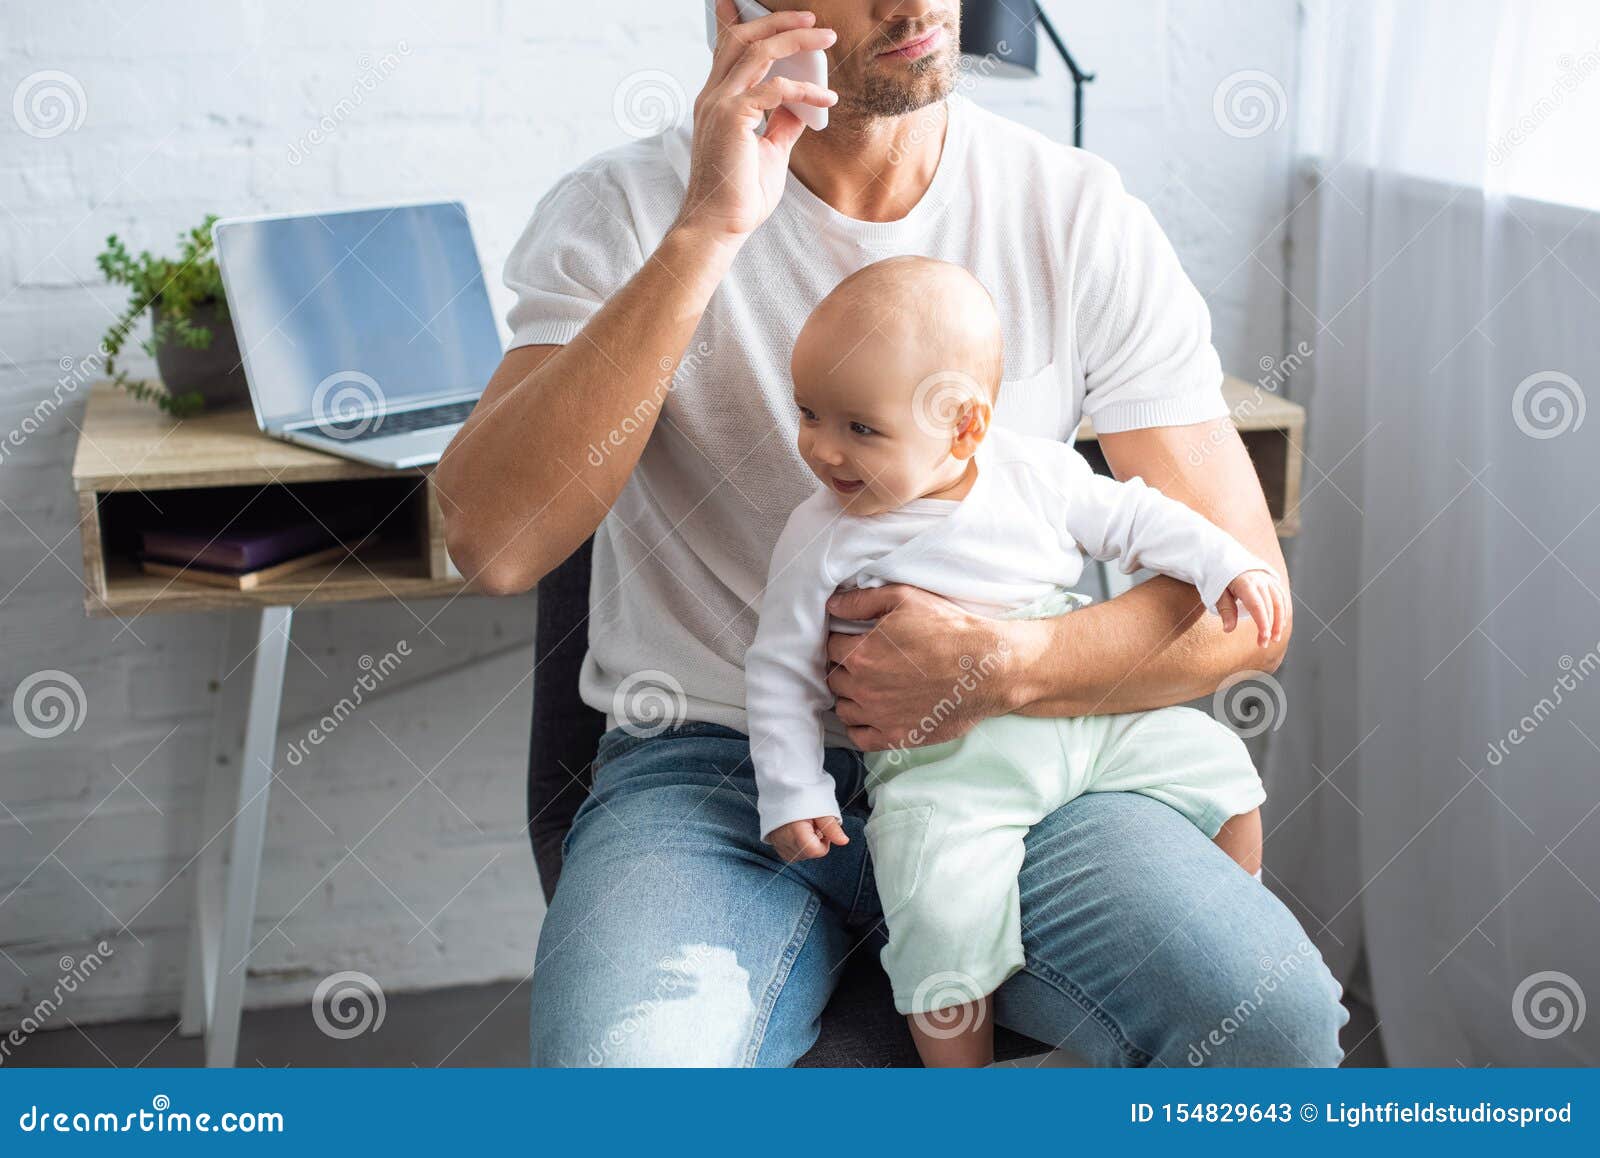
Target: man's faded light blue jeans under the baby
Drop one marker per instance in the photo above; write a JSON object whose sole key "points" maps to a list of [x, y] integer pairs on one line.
{"points": [[676, 936]]}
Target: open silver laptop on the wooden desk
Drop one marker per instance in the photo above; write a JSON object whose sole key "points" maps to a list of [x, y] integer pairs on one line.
{"points": [[366, 333]]}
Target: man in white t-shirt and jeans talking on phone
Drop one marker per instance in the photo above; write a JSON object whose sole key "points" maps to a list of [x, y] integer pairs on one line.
{"points": [[647, 401]]}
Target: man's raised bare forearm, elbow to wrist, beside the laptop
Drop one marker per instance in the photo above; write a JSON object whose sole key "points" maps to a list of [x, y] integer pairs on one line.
{"points": [[546, 452]]}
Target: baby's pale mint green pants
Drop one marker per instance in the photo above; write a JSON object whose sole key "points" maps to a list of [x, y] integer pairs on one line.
{"points": [[948, 825]]}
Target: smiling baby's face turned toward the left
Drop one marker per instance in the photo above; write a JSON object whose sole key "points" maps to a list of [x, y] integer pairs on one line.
{"points": [[871, 445]]}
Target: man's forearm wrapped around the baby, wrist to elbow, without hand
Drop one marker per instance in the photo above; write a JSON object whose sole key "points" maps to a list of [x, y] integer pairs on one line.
{"points": [[1151, 647]]}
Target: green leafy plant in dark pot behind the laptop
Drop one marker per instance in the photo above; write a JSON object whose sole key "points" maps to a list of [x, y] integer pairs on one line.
{"points": [[191, 335]]}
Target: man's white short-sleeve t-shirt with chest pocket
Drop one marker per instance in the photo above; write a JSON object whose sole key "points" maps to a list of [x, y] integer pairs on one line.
{"points": [[1097, 313]]}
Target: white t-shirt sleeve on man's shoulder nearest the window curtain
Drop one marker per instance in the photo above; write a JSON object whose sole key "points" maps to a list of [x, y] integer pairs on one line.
{"points": [[1143, 329]]}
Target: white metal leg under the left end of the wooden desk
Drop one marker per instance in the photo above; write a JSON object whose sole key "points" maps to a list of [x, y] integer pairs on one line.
{"points": [[222, 940]]}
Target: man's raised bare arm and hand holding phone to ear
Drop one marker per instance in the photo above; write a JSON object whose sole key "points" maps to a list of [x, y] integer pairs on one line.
{"points": [[543, 457]]}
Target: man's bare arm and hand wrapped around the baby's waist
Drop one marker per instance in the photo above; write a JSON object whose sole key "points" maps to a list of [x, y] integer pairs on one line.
{"points": [[1151, 647]]}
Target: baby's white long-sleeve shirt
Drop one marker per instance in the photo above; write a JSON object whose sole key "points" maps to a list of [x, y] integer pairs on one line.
{"points": [[1025, 529]]}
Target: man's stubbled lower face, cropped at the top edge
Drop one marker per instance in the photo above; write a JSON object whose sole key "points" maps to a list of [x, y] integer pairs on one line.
{"points": [[863, 66]]}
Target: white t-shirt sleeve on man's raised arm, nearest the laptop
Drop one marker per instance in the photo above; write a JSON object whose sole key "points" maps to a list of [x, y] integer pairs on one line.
{"points": [[578, 250]]}
